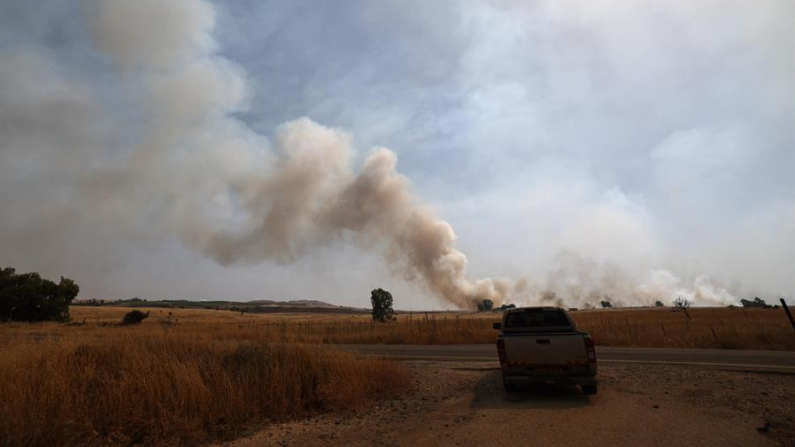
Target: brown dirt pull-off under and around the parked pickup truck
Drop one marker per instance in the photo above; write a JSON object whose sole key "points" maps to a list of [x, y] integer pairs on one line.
{"points": [[463, 404]]}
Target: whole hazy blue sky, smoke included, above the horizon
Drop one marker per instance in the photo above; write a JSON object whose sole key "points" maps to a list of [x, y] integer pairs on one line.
{"points": [[208, 150]]}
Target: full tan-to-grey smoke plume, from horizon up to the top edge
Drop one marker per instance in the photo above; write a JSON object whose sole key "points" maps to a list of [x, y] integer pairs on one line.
{"points": [[281, 204]]}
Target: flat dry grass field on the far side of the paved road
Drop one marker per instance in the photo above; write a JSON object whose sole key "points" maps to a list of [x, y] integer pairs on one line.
{"points": [[708, 328]]}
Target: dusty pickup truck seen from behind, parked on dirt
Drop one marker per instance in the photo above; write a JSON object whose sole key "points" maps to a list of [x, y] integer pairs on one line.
{"points": [[542, 345]]}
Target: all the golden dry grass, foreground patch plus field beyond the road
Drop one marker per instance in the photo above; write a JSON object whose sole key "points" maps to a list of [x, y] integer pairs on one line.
{"points": [[189, 376]]}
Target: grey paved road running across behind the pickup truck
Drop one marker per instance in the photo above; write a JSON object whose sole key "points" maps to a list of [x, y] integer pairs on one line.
{"points": [[725, 359]]}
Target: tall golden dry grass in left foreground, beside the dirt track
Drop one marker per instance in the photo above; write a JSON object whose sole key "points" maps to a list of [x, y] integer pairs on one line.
{"points": [[122, 386]]}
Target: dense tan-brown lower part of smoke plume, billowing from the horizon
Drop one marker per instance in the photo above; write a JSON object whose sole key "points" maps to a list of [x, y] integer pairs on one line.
{"points": [[313, 196]]}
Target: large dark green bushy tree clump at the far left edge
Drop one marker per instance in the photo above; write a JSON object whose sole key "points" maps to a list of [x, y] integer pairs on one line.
{"points": [[29, 297]]}
